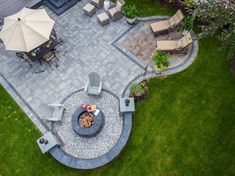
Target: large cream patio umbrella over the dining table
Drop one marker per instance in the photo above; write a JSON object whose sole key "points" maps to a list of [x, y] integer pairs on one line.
{"points": [[26, 29]]}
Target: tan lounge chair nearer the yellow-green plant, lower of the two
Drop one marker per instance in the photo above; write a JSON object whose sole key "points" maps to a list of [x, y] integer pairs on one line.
{"points": [[174, 46]]}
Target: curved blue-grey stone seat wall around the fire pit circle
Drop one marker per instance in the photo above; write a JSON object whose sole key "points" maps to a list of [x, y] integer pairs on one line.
{"points": [[77, 163]]}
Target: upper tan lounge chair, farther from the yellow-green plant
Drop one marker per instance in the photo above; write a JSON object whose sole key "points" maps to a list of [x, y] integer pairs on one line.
{"points": [[167, 25]]}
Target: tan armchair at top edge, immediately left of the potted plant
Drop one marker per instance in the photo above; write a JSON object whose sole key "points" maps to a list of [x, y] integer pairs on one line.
{"points": [[116, 12]]}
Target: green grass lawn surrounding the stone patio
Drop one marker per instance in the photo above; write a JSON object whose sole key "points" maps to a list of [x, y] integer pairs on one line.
{"points": [[184, 127]]}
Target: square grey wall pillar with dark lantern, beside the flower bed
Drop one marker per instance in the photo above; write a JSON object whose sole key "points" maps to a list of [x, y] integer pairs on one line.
{"points": [[127, 105]]}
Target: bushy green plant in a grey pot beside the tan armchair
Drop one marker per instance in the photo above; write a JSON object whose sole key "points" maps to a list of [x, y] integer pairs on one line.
{"points": [[130, 13]]}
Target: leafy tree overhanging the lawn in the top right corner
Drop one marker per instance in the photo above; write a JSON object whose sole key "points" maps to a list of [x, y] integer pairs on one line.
{"points": [[219, 19]]}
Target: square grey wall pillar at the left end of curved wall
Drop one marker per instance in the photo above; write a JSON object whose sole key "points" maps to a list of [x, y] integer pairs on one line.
{"points": [[47, 142]]}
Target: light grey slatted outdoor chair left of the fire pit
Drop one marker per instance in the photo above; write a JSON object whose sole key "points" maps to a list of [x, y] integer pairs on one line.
{"points": [[52, 112]]}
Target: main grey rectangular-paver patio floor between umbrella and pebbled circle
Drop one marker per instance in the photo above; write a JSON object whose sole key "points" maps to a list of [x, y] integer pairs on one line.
{"points": [[87, 48]]}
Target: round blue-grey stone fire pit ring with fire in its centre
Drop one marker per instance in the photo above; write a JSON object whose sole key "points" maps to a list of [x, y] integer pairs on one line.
{"points": [[87, 124]]}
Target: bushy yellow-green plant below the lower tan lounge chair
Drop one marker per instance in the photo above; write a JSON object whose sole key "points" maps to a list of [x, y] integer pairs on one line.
{"points": [[161, 60]]}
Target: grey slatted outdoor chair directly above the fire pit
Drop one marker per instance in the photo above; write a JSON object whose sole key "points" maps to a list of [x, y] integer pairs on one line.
{"points": [[93, 85]]}
